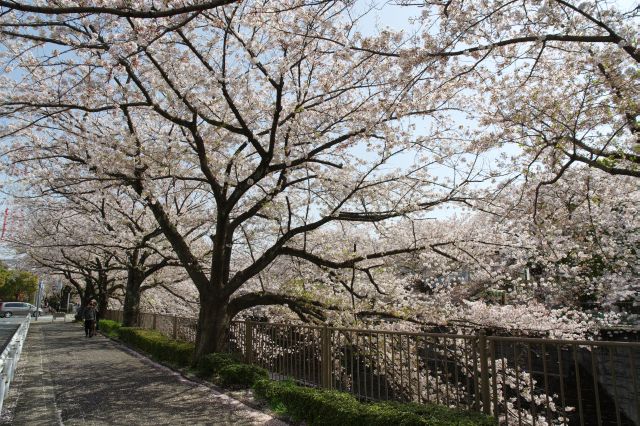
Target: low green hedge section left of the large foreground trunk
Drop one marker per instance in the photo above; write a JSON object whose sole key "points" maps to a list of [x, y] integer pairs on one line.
{"points": [[158, 345]]}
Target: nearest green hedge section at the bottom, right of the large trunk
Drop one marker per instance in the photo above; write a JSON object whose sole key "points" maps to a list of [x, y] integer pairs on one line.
{"points": [[327, 407]]}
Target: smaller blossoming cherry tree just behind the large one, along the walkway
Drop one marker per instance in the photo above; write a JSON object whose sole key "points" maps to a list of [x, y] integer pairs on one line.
{"points": [[99, 221]]}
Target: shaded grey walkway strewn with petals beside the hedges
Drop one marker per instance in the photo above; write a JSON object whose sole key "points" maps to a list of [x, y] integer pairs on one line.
{"points": [[64, 378]]}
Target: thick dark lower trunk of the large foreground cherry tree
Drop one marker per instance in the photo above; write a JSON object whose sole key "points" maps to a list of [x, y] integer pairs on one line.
{"points": [[213, 325]]}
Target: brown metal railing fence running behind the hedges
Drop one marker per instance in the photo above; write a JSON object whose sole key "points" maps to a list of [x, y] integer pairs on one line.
{"points": [[518, 380]]}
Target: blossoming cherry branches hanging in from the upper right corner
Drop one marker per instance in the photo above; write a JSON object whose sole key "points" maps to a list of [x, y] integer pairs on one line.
{"points": [[557, 79]]}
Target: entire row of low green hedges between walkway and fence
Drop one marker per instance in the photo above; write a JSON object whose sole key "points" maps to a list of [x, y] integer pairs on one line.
{"points": [[314, 406]]}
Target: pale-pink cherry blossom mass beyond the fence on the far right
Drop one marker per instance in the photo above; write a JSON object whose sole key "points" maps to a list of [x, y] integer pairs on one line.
{"points": [[575, 267]]}
